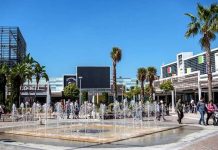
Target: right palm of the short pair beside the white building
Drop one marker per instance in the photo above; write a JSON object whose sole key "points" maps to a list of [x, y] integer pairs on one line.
{"points": [[151, 75]]}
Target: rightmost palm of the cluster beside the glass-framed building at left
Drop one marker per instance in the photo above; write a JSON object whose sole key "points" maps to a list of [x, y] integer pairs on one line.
{"points": [[39, 72]]}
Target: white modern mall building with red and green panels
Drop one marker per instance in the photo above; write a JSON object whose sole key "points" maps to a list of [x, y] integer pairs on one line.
{"points": [[189, 77]]}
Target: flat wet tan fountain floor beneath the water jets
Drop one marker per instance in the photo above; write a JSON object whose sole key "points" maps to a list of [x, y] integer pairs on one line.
{"points": [[92, 132]]}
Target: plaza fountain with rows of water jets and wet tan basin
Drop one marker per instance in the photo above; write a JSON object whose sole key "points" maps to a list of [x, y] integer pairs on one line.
{"points": [[127, 122]]}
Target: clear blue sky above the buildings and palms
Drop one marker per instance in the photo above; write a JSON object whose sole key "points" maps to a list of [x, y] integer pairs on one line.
{"points": [[63, 34]]}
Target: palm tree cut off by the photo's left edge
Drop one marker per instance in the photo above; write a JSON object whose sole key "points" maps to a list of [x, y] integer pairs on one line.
{"points": [[4, 70]]}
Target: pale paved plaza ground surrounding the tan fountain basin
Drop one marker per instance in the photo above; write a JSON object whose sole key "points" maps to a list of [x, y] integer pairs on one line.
{"points": [[189, 135]]}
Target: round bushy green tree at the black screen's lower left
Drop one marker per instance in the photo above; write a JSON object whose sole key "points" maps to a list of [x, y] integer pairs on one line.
{"points": [[71, 92]]}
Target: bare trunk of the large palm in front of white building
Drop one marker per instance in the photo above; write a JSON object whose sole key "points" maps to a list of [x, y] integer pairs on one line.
{"points": [[209, 71]]}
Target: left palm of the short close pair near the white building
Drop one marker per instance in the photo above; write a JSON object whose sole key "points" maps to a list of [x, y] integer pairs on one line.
{"points": [[141, 75]]}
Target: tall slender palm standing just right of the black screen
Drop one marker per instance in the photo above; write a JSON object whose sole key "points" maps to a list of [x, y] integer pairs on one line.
{"points": [[116, 55]]}
